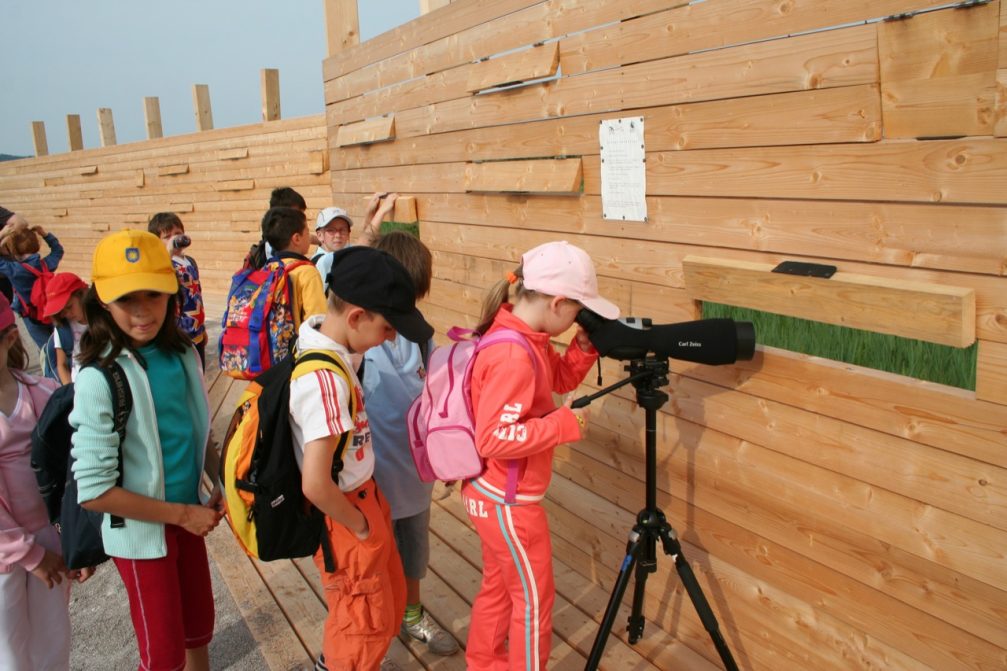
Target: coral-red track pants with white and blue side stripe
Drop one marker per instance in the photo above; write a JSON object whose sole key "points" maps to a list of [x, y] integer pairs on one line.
{"points": [[512, 624]]}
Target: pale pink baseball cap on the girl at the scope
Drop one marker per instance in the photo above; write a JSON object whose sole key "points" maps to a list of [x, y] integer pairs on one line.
{"points": [[560, 270]]}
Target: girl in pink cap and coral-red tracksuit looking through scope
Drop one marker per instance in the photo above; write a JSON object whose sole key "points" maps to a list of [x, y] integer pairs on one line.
{"points": [[518, 427]]}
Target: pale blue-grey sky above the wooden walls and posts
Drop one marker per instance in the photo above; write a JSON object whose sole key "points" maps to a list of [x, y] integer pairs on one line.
{"points": [[73, 57]]}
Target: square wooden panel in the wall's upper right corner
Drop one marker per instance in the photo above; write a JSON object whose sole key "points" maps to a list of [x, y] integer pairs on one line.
{"points": [[939, 73]]}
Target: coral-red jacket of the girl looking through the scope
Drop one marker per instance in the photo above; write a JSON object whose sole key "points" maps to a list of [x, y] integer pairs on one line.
{"points": [[516, 417]]}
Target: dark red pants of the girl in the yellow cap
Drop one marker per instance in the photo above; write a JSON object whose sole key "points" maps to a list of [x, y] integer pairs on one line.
{"points": [[171, 601]]}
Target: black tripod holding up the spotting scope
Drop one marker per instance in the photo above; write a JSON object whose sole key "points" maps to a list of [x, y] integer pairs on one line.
{"points": [[648, 376]]}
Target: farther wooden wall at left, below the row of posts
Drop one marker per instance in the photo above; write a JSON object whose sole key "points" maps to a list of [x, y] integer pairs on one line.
{"points": [[219, 182]]}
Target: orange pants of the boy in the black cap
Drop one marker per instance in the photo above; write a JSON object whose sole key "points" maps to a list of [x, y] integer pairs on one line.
{"points": [[367, 594]]}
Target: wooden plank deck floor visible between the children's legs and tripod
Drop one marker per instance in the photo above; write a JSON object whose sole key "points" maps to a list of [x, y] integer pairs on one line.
{"points": [[283, 608]]}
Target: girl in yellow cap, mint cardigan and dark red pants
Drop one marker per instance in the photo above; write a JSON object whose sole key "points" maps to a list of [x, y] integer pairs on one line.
{"points": [[159, 549]]}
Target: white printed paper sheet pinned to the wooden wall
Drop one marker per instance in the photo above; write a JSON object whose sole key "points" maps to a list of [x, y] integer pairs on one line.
{"points": [[624, 171]]}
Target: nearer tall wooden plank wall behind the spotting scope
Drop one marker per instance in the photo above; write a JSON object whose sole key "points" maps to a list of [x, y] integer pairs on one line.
{"points": [[837, 518]]}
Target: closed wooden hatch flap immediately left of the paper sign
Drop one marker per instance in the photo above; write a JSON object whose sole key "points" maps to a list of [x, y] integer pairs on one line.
{"points": [[543, 176]]}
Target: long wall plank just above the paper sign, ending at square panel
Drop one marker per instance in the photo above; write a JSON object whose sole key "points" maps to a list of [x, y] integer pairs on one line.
{"points": [[841, 58]]}
